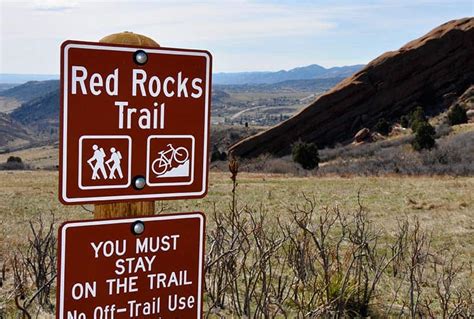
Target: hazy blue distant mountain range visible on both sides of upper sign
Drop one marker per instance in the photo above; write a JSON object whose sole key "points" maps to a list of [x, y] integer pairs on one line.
{"points": [[309, 72]]}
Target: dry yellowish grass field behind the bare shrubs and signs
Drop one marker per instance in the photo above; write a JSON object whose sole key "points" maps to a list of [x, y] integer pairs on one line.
{"points": [[444, 205]]}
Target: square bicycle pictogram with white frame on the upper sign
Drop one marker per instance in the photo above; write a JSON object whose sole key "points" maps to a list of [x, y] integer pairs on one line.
{"points": [[170, 160]]}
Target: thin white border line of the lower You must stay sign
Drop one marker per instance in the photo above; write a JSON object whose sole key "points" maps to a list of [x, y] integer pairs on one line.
{"points": [[68, 225]]}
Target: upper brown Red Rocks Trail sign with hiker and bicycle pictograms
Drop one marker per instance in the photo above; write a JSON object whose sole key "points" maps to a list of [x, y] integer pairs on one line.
{"points": [[134, 122]]}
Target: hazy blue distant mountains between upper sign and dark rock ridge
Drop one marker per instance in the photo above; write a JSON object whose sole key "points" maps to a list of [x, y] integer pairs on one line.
{"points": [[309, 72]]}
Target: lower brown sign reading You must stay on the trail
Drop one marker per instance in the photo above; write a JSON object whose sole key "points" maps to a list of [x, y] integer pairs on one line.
{"points": [[131, 268]]}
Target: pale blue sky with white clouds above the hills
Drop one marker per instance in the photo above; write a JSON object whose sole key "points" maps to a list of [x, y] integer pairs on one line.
{"points": [[242, 35]]}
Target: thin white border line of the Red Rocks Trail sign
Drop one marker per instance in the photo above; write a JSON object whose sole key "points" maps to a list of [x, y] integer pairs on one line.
{"points": [[66, 49]]}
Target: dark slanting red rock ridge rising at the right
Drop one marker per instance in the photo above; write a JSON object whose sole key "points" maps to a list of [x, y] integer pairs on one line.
{"points": [[431, 71]]}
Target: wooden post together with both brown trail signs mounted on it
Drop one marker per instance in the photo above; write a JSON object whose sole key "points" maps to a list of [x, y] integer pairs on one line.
{"points": [[134, 127]]}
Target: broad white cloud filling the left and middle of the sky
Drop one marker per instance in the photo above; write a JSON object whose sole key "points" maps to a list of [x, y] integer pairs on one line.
{"points": [[36, 29]]}
